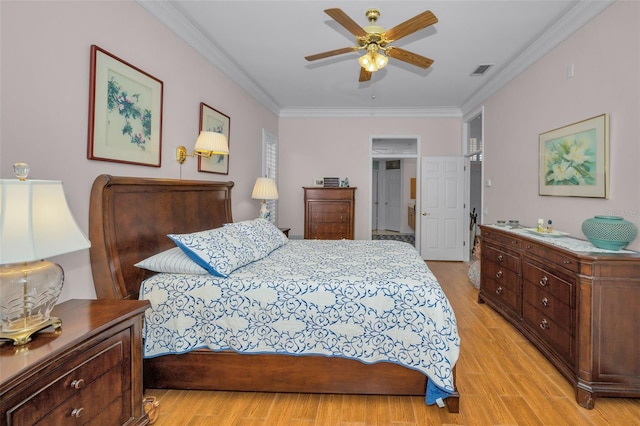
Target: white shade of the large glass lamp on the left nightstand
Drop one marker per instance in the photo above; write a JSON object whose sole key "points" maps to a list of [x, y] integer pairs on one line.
{"points": [[35, 222]]}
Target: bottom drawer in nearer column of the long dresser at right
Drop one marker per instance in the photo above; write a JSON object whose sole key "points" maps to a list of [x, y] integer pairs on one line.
{"points": [[549, 331]]}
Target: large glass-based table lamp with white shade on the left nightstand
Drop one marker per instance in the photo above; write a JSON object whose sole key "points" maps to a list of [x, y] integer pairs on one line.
{"points": [[35, 223]]}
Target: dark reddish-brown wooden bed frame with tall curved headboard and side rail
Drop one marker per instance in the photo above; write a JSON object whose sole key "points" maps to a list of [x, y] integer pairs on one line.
{"points": [[129, 219]]}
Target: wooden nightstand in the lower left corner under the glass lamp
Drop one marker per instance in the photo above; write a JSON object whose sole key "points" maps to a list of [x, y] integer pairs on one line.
{"points": [[87, 372]]}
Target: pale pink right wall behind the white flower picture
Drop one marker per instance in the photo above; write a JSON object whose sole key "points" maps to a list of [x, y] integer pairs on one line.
{"points": [[606, 58]]}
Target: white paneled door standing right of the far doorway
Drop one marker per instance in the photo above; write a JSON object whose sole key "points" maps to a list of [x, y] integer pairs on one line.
{"points": [[442, 208]]}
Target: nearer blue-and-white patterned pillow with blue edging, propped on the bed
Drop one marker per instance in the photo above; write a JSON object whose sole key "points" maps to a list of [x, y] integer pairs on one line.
{"points": [[220, 251]]}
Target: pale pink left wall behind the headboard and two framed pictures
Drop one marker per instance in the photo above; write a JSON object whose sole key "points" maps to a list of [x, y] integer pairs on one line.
{"points": [[45, 85]]}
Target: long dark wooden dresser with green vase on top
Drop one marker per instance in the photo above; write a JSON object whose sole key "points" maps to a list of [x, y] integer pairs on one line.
{"points": [[580, 308]]}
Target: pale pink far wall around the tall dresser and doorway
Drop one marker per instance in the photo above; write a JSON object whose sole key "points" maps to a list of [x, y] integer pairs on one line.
{"points": [[318, 147]]}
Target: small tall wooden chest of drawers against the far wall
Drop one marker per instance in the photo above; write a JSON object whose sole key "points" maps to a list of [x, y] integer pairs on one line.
{"points": [[329, 213]]}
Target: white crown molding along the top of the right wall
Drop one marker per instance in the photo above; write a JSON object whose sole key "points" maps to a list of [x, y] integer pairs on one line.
{"points": [[575, 18]]}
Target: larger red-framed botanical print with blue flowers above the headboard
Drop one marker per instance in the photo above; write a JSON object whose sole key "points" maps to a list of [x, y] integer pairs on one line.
{"points": [[125, 112]]}
